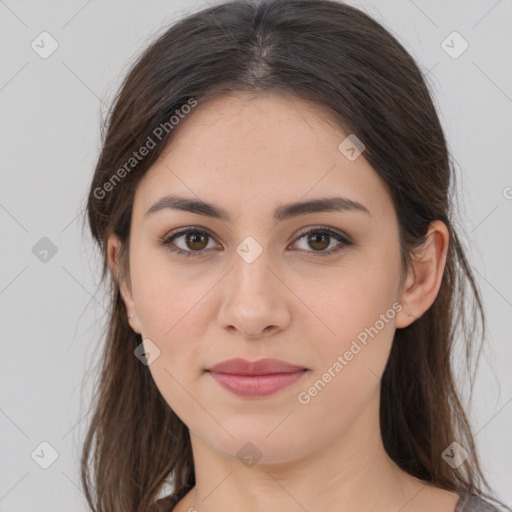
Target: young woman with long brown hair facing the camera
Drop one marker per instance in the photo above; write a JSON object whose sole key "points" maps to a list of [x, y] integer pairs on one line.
{"points": [[272, 204]]}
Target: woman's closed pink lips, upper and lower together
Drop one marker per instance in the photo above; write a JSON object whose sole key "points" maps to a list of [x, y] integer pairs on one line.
{"points": [[255, 378]]}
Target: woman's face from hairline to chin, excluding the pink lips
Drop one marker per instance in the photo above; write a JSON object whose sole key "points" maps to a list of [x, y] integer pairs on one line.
{"points": [[318, 289]]}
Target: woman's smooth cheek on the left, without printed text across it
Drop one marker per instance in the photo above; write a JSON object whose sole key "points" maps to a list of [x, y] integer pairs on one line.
{"points": [[173, 315]]}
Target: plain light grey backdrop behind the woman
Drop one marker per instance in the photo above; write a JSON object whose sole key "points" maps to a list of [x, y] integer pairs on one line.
{"points": [[52, 307]]}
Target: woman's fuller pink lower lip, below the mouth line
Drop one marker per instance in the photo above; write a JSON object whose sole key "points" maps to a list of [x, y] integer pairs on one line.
{"points": [[256, 385]]}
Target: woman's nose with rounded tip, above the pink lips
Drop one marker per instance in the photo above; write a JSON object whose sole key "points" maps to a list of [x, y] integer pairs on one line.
{"points": [[255, 303]]}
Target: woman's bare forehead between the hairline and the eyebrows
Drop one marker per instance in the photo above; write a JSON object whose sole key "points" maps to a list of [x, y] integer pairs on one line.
{"points": [[250, 152]]}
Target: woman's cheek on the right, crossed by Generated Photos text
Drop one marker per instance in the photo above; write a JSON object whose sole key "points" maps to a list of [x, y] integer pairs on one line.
{"points": [[358, 313]]}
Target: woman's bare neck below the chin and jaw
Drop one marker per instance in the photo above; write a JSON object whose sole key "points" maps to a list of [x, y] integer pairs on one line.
{"points": [[352, 473]]}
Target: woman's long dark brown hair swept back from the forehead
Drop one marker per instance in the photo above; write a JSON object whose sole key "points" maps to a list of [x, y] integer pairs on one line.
{"points": [[339, 57]]}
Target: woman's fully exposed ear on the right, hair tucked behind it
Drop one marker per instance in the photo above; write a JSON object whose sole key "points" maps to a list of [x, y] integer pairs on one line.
{"points": [[424, 278]]}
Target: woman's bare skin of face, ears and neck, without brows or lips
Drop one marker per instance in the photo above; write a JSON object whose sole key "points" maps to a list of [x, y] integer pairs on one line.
{"points": [[250, 154]]}
